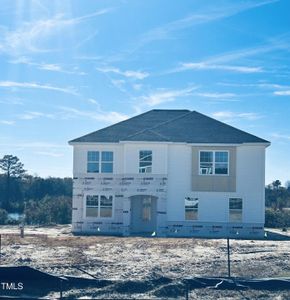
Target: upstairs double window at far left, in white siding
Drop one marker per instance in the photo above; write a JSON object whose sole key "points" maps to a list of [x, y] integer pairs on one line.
{"points": [[95, 161]]}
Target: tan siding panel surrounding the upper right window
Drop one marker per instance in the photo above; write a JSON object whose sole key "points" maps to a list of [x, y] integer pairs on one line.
{"points": [[214, 183]]}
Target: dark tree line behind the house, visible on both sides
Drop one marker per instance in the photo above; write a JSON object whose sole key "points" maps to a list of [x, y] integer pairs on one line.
{"points": [[49, 200]]}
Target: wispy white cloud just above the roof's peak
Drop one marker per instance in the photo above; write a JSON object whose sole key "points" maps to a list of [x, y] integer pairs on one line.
{"points": [[163, 96]]}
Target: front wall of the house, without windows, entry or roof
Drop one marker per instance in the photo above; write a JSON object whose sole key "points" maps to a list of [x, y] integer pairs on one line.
{"points": [[173, 173]]}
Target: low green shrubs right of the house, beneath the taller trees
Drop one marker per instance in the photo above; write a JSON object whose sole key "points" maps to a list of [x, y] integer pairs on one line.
{"points": [[277, 218]]}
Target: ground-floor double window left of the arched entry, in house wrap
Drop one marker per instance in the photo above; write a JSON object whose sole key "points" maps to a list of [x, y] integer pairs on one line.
{"points": [[99, 206]]}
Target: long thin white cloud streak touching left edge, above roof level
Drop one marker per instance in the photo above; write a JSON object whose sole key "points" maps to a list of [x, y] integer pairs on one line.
{"points": [[32, 85]]}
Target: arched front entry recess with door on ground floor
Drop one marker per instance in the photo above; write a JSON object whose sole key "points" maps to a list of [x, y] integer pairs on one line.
{"points": [[143, 214]]}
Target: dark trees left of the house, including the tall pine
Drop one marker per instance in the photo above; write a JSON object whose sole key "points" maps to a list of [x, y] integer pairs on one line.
{"points": [[40, 200]]}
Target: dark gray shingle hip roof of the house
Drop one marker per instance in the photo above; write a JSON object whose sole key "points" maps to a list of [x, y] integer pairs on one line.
{"points": [[171, 126]]}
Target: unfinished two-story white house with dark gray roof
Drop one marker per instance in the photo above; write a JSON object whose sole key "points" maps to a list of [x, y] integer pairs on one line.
{"points": [[169, 173]]}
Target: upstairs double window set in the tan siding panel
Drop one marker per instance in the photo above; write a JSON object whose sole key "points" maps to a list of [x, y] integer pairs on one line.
{"points": [[214, 163]]}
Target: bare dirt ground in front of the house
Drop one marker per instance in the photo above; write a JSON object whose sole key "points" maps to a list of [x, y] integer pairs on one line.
{"points": [[141, 260]]}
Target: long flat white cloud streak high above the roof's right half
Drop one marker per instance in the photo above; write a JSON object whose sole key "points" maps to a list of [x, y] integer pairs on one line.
{"points": [[208, 66]]}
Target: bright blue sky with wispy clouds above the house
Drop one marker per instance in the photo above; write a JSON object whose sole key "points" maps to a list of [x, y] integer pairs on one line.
{"points": [[72, 67]]}
